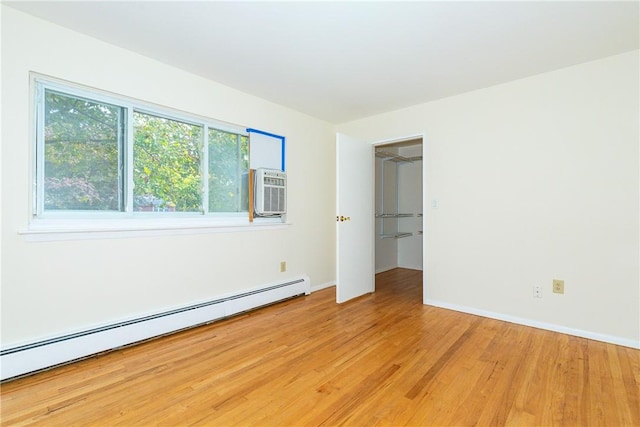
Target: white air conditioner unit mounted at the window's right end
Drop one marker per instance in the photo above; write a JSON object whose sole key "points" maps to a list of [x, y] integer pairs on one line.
{"points": [[270, 192]]}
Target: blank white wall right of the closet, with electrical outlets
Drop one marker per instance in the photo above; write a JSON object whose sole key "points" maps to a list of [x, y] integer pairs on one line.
{"points": [[536, 179]]}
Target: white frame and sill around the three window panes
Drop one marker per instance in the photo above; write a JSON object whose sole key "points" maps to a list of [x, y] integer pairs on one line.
{"points": [[55, 222]]}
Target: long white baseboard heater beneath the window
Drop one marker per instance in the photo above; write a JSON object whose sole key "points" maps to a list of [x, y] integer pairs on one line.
{"points": [[40, 355]]}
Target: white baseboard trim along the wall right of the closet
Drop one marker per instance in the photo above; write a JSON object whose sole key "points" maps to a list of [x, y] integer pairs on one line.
{"points": [[536, 324]]}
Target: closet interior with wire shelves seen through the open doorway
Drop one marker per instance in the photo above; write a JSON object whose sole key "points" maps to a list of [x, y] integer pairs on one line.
{"points": [[398, 205]]}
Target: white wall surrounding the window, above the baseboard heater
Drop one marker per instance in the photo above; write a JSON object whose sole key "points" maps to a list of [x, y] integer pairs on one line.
{"points": [[52, 288]]}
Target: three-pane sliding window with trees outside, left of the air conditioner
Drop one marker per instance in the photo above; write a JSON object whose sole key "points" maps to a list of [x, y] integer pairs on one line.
{"points": [[102, 154]]}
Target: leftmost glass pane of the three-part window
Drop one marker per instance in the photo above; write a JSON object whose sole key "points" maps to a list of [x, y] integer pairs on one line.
{"points": [[82, 153]]}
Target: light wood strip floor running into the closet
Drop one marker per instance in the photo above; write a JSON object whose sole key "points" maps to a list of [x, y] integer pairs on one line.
{"points": [[383, 359]]}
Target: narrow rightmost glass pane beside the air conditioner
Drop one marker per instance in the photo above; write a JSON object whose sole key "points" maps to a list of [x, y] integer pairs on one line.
{"points": [[228, 172]]}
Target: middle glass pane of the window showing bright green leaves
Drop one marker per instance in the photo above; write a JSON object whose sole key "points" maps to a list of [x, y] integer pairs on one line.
{"points": [[166, 165]]}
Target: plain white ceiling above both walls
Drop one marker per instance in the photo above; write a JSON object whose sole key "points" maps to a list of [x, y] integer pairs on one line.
{"points": [[340, 61]]}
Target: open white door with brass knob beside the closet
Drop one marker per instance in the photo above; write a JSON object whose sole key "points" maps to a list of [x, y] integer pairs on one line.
{"points": [[355, 218]]}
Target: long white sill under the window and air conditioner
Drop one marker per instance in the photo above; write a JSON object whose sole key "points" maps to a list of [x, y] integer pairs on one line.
{"points": [[82, 229]]}
